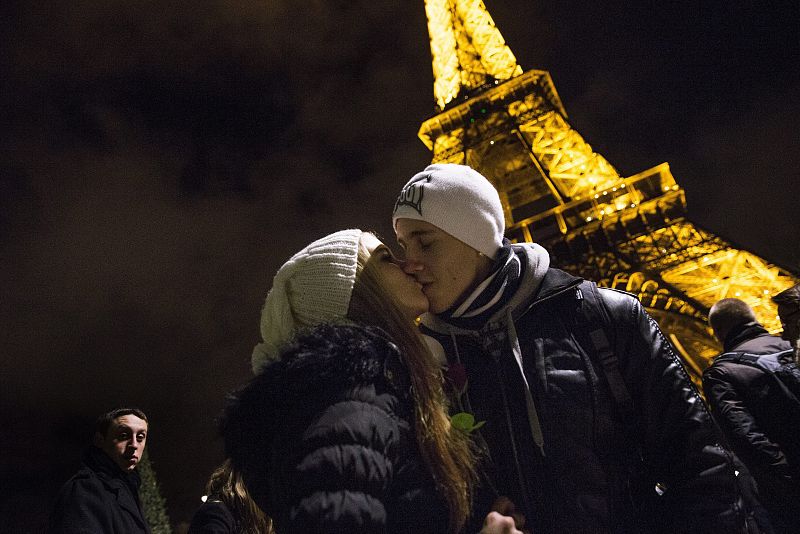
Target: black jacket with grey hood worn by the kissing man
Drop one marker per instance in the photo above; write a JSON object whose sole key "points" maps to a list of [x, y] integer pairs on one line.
{"points": [[569, 457]]}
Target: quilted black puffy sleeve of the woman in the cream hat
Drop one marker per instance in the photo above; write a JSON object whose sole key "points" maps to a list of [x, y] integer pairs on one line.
{"points": [[341, 472]]}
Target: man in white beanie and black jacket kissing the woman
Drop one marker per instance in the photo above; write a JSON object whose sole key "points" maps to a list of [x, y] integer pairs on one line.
{"points": [[588, 419]]}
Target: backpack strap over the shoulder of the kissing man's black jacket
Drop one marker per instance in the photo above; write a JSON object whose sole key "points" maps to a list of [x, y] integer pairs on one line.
{"points": [[596, 321]]}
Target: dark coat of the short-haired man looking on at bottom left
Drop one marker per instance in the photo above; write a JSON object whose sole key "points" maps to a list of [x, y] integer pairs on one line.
{"points": [[99, 498]]}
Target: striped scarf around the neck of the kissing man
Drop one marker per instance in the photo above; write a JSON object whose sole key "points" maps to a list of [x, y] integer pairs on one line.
{"points": [[490, 295]]}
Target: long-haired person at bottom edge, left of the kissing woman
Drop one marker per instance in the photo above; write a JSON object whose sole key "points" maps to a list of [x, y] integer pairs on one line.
{"points": [[228, 508]]}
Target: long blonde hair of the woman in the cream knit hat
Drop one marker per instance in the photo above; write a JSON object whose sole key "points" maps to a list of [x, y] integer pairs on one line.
{"points": [[449, 453]]}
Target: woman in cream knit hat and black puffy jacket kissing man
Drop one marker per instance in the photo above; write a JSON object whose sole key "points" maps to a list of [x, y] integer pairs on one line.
{"points": [[345, 426]]}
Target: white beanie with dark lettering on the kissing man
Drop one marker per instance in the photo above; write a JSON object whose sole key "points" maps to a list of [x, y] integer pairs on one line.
{"points": [[458, 200]]}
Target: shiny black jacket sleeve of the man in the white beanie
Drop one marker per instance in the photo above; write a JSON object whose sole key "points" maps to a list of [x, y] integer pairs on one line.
{"points": [[687, 478]]}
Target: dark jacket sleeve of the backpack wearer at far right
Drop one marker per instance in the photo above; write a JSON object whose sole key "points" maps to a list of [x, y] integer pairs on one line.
{"points": [[739, 426]]}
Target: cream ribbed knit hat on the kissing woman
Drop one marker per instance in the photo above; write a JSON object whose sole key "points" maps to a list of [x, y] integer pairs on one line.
{"points": [[313, 287]]}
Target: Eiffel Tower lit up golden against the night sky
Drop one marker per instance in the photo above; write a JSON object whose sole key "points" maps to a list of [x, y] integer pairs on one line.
{"points": [[631, 233]]}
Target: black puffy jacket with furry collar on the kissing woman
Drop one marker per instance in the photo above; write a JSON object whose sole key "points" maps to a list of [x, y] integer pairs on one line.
{"points": [[324, 438]]}
